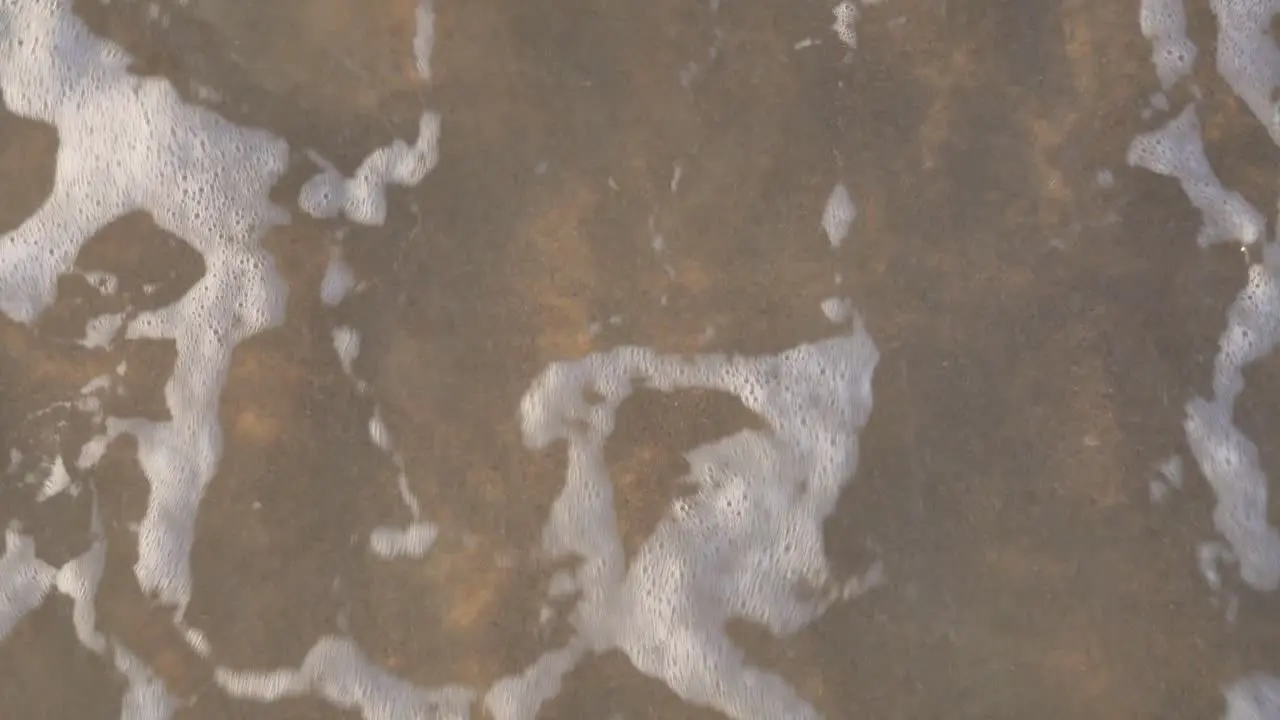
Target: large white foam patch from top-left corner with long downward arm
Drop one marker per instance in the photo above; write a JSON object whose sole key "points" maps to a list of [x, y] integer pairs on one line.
{"points": [[130, 144]]}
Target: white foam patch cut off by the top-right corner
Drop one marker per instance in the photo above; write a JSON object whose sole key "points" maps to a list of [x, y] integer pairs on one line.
{"points": [[1249, 58]]}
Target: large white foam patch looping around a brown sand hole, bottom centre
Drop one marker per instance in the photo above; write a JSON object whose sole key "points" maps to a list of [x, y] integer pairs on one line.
{"points": [[748, 544]]}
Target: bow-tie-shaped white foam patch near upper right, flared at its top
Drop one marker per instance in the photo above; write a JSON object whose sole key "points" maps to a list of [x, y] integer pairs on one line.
{"points": [[1176, 151]]}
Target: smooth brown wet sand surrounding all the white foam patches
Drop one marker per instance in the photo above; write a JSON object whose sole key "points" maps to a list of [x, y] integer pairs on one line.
{"points": [[1039, 338]]}
